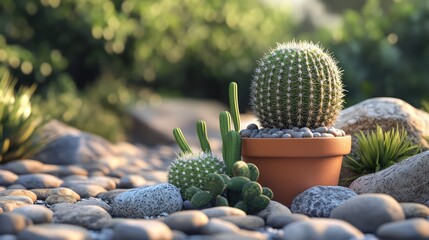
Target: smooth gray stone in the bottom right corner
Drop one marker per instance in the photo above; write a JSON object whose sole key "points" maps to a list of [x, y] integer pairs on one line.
{"points": [[416, 229]]}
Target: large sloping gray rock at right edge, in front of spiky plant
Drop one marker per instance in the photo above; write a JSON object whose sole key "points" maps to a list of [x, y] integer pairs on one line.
{"points": [[405, 181]]}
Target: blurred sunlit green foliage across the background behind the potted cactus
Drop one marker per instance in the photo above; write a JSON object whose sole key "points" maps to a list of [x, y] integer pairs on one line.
{"points": [[74, 50]]}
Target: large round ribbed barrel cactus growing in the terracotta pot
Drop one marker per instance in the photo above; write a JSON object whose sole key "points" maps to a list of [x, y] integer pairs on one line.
{"points": [[297, 84]]}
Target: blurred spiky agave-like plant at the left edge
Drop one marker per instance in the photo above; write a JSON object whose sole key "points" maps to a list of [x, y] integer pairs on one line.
{"points": [[18, 124]]}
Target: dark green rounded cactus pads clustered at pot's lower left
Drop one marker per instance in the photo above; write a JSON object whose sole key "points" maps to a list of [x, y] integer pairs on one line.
{"points": [[241, 190]]}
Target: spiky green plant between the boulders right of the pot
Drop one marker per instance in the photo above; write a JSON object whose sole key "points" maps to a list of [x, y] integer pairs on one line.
{"points": [[380, 149]]}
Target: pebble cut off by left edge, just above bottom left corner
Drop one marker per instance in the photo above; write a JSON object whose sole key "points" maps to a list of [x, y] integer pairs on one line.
{"points": [[12, 223]]}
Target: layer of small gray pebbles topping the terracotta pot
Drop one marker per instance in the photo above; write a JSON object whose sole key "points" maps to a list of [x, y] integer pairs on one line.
{"points": [[253, 131]]}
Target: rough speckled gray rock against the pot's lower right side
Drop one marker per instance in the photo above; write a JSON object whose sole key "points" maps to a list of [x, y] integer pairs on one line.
{"points": [[319, 201]]}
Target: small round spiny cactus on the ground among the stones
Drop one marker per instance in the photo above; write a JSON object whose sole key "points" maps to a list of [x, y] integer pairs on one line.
{"points": [[191, 169]]}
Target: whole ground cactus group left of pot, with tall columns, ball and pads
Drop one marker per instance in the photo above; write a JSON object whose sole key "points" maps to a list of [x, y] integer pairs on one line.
{"points": [[238, 187]]}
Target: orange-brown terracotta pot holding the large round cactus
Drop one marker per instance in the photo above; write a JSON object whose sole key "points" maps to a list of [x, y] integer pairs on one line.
{"points": [[290, 166]]}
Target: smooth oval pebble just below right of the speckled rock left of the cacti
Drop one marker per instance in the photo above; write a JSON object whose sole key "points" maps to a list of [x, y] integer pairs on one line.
{"points": [[186, 221]]}
